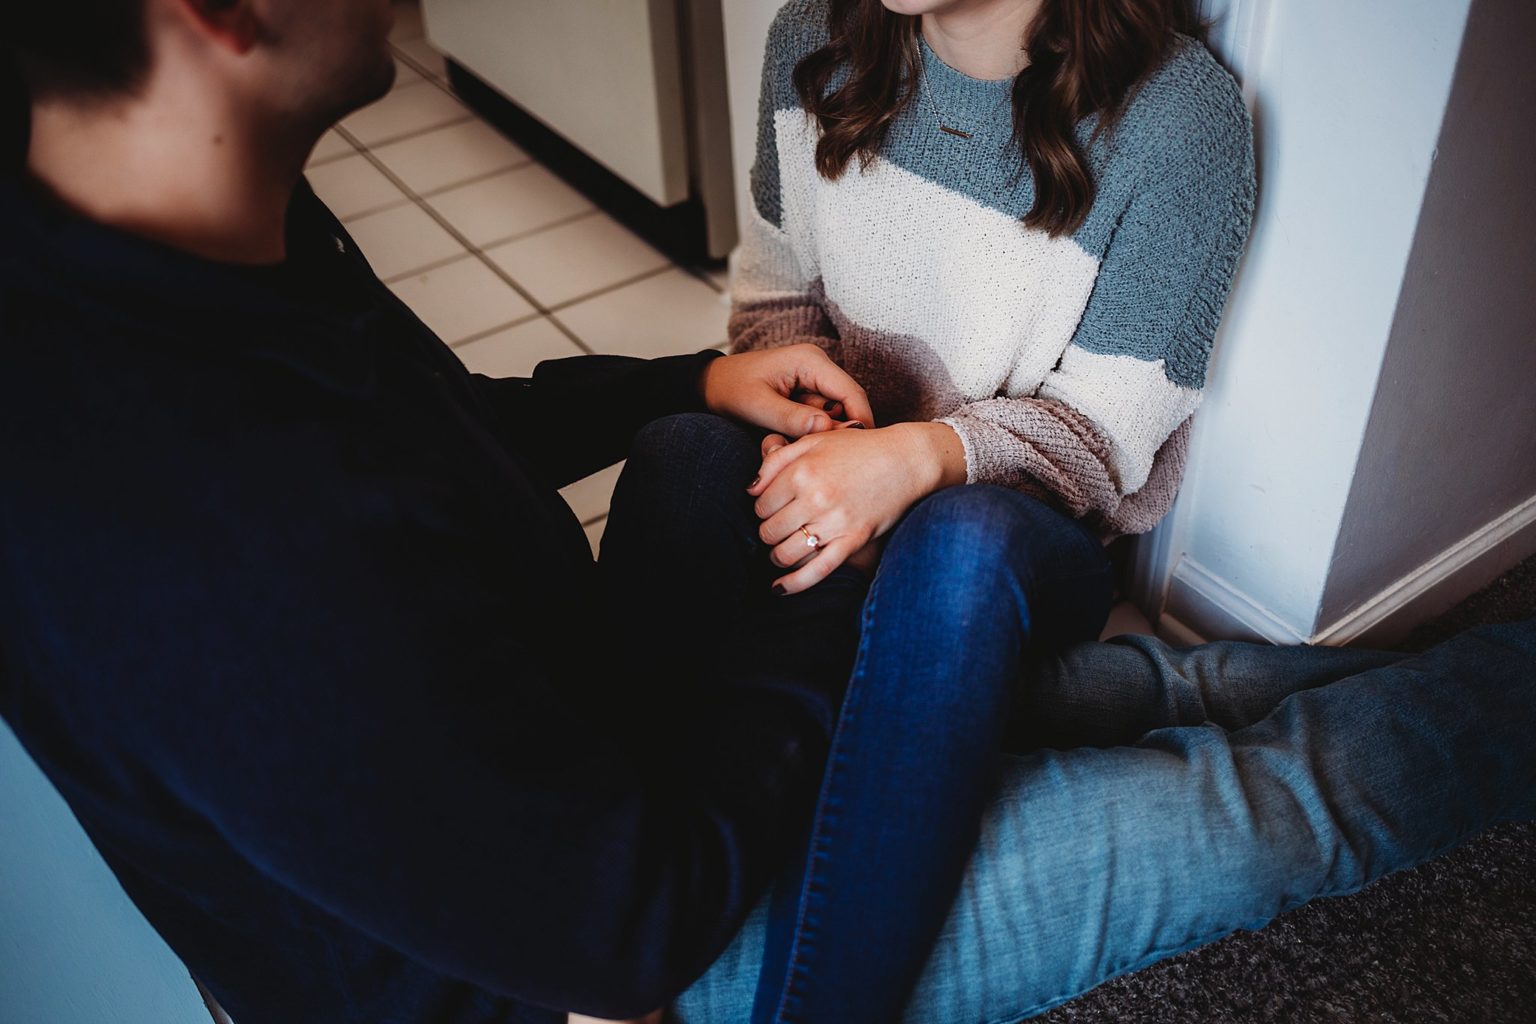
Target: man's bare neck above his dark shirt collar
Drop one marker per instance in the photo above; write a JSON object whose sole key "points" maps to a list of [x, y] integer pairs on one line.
{"points": [[184, 174]]}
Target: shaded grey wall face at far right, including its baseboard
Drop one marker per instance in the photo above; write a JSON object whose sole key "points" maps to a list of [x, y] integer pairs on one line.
{"points": [[1445, 497]]}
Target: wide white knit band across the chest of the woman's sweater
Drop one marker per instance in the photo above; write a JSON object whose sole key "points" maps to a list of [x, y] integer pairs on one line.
{"points": [[904, 256]]}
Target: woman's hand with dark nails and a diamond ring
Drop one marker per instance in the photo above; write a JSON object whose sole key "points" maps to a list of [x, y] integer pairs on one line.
{"points": [[847, 487]]}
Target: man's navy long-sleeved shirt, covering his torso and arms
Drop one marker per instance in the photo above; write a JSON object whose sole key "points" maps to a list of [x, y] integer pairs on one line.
{"points": [[286, 604]]}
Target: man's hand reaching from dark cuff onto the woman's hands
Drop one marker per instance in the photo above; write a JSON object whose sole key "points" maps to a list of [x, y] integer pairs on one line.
{"points": [[766, 388]]}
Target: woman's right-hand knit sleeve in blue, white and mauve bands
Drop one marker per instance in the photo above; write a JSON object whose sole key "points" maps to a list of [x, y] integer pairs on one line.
{"points": [[1105, 434]]}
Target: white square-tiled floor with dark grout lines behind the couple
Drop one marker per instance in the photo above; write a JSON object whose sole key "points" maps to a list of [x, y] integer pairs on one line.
{"points": [[498, 256]]}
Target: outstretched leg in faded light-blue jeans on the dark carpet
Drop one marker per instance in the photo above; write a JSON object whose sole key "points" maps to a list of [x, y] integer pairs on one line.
{"points": [[1099, 862]]}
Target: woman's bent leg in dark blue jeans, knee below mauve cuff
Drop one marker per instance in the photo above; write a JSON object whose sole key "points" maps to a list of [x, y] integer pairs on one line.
{"points": [[972, 581]]}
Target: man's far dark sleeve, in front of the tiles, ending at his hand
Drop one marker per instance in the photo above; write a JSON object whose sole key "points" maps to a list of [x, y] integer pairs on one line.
{"points": [[577, 417]]}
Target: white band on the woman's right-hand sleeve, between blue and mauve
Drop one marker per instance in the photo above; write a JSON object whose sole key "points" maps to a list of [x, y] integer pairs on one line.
{"points": [[1130, 400]]}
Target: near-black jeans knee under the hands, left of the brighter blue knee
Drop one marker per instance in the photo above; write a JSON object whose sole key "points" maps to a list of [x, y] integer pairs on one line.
{"points": [[687, 583]]}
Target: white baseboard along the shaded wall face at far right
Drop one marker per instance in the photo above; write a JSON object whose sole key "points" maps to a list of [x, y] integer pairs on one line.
{"points": [[1438, 584]]}
